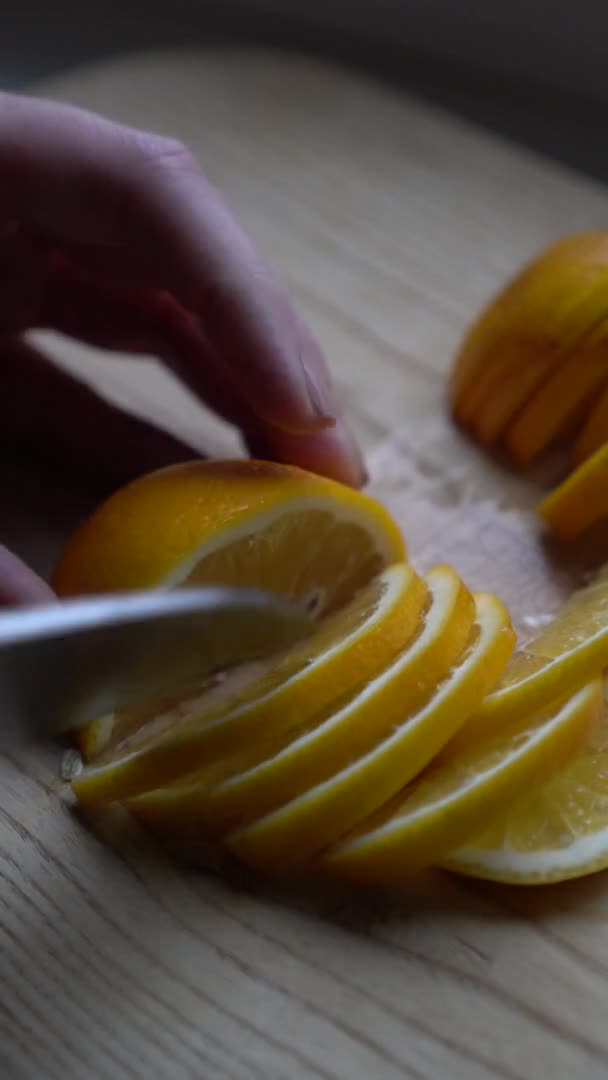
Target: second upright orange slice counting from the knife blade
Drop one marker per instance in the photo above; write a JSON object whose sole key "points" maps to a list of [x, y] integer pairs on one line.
{"points": [[337, 737]]}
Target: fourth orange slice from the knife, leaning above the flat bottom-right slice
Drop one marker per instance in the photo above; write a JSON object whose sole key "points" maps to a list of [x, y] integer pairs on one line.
{"points": [[453, 801]]}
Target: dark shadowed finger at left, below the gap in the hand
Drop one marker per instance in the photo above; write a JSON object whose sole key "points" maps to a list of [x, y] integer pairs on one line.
{"points": [[48, 411]]}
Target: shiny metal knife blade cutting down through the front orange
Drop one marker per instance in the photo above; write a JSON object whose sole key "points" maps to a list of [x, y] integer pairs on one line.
{"points": [[71, 663]]}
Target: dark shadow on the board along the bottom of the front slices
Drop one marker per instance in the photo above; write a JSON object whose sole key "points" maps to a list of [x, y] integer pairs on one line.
{"points": [[358, 911]]}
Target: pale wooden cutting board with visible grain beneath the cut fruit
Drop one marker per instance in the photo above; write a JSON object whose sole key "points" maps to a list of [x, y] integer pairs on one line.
{"points": [[391, 224]]}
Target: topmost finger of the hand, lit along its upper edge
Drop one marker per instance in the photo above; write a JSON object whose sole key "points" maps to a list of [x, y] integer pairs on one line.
{"points": [[75, 178]]}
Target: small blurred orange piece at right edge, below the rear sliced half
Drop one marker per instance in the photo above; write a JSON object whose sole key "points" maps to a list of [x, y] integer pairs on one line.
{"points": [[582, 501]]}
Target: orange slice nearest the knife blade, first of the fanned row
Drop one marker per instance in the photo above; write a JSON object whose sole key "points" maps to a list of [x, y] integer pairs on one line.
{"points": [[350, 647]]}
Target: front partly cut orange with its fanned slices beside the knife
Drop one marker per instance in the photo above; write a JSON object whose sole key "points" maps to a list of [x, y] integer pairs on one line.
{"points": [[402, 734]]}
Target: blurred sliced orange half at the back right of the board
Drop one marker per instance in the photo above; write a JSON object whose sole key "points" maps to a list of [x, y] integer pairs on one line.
{"points": [[533, 373]]}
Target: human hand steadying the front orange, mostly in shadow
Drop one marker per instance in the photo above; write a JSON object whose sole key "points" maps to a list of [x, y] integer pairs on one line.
{"points": [[116, 238]]}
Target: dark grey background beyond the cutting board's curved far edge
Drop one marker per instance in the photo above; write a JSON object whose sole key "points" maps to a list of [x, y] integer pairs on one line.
{"points": [[534, 72]]}
